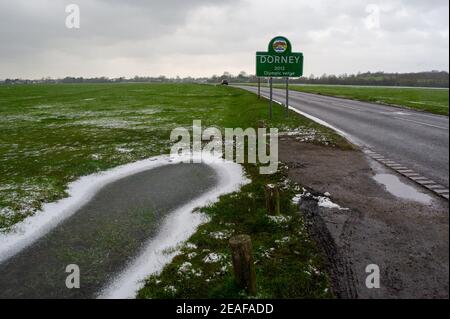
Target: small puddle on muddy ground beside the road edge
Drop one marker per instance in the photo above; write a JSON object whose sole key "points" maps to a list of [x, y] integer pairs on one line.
{"points": [[399, 189]]}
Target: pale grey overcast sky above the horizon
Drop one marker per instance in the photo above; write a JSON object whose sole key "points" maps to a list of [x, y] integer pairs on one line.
{"points": [[202, 38]]}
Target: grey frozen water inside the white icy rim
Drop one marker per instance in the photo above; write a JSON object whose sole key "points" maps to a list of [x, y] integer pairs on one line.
{"points": [[105, 234]]}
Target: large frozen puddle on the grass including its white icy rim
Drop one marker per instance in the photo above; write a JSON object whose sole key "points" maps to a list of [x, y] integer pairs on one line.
{"points": [[118, 227]]}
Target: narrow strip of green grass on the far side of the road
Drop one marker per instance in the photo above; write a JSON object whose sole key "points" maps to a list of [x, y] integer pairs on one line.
{"points": [[423, 99]]}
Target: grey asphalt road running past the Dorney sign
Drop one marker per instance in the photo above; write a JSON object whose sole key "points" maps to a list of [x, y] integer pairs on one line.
{"points": [[417, 140]]}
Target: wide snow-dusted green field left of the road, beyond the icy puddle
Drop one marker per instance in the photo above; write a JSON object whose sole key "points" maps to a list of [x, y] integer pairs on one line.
{"points": [[53, 134]]}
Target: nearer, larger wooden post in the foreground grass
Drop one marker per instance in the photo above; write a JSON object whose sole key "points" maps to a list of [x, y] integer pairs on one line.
{"points": [[243, 265]]}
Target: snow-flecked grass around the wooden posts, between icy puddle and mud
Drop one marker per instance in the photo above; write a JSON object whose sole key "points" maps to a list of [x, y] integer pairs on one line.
{"points": [[288, 264]]}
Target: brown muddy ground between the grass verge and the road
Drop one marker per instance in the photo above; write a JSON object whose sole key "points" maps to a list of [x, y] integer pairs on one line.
{"points": [[408, 240]]}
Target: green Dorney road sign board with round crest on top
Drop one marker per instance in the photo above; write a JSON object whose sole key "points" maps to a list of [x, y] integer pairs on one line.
{"points": [[279, 61]]}
